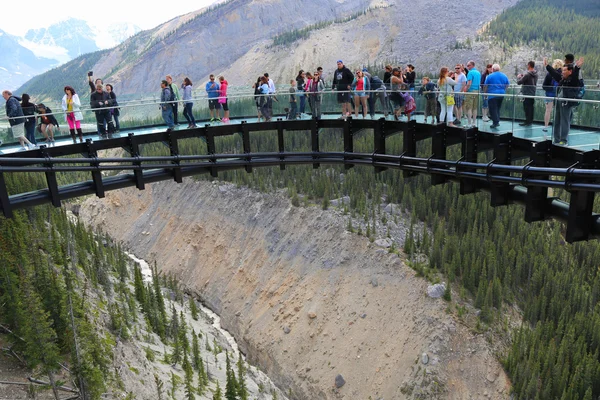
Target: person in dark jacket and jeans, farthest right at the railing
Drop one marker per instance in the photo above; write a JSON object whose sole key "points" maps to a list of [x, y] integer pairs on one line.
{"points": [[568, 87]]}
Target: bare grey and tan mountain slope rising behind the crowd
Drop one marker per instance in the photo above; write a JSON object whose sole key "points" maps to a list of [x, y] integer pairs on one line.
{"points": [[236, 38]]}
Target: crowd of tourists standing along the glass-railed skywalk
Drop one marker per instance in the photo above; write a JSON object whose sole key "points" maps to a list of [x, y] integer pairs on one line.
{"points": [[449, 98]]}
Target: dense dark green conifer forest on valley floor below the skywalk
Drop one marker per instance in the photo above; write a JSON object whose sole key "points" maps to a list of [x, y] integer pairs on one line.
{"points": [[496, 259]]}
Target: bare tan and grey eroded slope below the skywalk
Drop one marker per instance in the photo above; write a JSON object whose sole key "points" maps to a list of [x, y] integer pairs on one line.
{"points": [[307, 300]]}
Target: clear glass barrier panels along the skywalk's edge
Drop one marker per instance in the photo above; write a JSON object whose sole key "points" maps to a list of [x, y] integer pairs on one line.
{"points": [[143, 110]]}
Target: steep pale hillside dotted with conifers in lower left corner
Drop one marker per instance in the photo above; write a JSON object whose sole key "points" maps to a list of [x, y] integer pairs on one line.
{"points": [[77, 318]]}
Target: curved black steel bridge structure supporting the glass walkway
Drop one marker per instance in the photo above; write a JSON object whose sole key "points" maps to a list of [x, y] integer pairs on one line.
{"points": [[546, 165]]}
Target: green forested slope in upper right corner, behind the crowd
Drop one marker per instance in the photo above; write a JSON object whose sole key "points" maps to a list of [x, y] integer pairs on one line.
{"points": [[559, 27]]}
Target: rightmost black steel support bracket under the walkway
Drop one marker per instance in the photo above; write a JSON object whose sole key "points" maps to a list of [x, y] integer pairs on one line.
{"points": [[579, 220]]}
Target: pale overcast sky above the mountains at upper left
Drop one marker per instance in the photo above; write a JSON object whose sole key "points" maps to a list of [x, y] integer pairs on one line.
{"points": [[18, 18]]}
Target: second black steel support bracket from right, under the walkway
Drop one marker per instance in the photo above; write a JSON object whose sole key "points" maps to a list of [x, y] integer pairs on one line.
{"points": [[536, 200]]}
